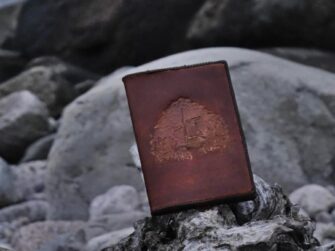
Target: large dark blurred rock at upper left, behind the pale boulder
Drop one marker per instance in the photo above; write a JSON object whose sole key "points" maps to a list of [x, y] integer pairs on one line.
{"points": [[106, 40]]}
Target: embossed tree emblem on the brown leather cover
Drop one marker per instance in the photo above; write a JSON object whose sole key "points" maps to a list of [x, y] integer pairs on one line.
{"points": [[185, 129]]}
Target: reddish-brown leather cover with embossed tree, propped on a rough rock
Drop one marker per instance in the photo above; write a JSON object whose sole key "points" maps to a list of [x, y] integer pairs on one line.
{"points": [[189, 137]]}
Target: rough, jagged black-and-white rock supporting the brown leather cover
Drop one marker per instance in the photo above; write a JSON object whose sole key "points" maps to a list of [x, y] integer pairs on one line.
{"points": [[274, 225]]}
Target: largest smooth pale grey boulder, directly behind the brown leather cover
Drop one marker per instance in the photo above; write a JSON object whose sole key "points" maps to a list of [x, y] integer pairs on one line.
{"points": [[287, 113]]}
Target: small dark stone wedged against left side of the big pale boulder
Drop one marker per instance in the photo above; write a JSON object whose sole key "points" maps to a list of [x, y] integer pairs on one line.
{"points": [[39, 150]]}
